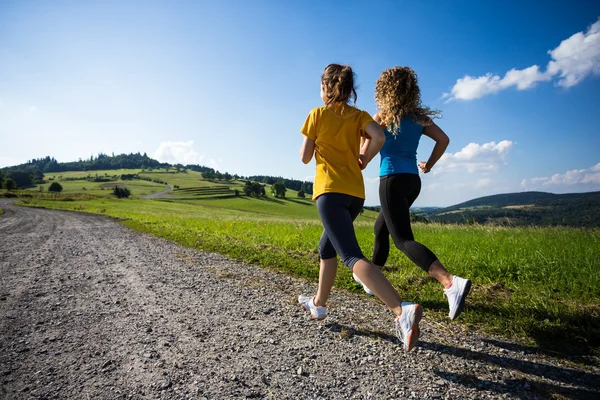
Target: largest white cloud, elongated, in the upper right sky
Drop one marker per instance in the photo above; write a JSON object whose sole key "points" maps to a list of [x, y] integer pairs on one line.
{"points": [[571, 62]]}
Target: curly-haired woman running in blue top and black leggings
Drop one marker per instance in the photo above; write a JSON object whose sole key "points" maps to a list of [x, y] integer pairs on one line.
{"points": [[405, 120]]}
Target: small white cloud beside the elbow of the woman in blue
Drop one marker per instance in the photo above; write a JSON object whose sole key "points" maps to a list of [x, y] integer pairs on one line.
{"points": [[474, 158]]}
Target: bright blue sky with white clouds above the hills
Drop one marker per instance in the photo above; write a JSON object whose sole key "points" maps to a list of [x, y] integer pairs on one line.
{"points": [[228, 84]]}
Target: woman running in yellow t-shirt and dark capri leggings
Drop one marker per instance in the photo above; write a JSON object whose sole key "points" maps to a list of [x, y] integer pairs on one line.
{"points": [[332, 133]]}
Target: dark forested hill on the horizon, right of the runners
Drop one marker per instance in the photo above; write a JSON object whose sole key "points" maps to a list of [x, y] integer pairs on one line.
{"points": [[523, 209]]}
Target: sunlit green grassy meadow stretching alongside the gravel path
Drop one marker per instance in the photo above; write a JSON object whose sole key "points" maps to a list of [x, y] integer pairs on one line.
{"points": [[540, 286]]}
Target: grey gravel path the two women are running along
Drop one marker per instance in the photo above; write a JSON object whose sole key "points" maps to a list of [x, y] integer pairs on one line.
{"points": [[90, 309]]}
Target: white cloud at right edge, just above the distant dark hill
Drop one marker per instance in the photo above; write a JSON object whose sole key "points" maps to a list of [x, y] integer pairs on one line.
{"points": [[577, 179]]}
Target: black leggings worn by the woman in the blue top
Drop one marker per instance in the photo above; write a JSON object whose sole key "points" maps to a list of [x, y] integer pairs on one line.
{"points": [[396, 194]]}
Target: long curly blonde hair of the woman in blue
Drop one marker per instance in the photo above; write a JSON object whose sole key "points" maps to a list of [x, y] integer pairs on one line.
{"points": [[398, 95]]}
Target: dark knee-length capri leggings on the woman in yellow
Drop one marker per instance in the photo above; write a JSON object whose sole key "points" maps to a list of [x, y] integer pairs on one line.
{"points": [[338, 212]]}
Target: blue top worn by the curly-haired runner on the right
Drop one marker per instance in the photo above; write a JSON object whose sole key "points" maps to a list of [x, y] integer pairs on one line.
{"points": [[399, 153]]}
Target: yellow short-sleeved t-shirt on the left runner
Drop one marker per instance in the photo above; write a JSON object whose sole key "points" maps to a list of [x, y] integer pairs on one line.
{"points": [[337, 146]]}
